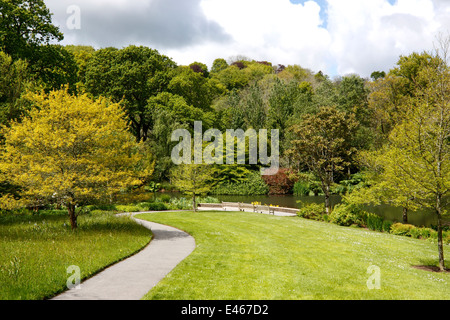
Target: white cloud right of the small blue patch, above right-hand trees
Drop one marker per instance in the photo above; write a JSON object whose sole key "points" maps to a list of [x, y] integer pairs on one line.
{"points": [[371, 35]]}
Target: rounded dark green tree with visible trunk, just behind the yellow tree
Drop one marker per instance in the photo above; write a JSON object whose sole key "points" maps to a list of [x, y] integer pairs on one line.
{"points": [[131, 75]]}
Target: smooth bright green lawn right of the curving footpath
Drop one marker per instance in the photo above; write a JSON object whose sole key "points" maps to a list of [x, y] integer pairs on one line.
{"points": [[242, 256]]}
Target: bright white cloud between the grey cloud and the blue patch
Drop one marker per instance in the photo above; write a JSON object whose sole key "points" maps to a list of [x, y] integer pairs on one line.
{"points": [[277, 31]]}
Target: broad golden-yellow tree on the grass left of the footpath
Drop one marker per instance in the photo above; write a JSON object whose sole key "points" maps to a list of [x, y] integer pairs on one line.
{"points": [[72, 150]]}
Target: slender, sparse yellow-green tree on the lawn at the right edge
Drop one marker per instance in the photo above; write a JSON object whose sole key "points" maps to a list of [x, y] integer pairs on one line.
{"points": [[422, 142]]}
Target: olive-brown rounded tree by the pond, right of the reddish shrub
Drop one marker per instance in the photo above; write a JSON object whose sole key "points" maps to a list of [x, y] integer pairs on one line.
{"points": [[322, 143]]}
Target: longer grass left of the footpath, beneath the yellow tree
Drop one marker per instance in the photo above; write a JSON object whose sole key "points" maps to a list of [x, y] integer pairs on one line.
{"points": [[36, 250]]}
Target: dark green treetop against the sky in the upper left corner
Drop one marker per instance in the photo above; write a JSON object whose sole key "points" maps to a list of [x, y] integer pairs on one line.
{"points": [[27, 33]]}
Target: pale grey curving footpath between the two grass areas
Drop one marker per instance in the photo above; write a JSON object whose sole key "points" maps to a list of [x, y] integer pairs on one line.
{"points": [[133, 277]]}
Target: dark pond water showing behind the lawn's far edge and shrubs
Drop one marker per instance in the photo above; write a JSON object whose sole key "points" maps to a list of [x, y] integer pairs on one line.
{"points": [[391, 213]]}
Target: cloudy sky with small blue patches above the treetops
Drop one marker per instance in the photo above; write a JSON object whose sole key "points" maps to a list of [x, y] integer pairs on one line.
{"points": [[337, 37]]}
